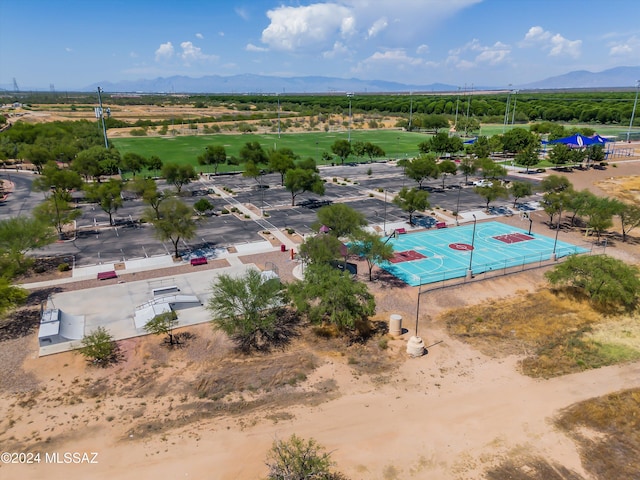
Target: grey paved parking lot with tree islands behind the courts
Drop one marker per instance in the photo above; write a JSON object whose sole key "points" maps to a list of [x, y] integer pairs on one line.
{"points": [[97, 242]]}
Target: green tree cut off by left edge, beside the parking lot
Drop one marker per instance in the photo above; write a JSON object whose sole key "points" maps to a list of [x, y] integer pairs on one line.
{"points": [[20, 234]]}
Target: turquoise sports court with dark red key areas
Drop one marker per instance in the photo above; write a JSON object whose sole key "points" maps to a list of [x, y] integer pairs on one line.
{"points": [[437, 255]]}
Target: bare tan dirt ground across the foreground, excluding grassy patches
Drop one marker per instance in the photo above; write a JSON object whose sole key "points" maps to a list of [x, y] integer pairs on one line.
{"points": [[450, 414]]}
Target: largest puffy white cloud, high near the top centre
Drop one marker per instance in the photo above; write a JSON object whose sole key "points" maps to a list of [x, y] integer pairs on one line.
{"points": [[310, 27]]}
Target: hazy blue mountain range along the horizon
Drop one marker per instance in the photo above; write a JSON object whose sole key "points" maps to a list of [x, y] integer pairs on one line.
{"points": [[619, 77]]}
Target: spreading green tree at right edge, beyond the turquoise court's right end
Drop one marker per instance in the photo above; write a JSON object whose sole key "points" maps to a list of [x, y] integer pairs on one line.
{"points": [[610, 284]]}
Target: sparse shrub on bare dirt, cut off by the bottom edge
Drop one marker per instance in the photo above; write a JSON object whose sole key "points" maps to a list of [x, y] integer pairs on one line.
{"points": [[299, 459]]}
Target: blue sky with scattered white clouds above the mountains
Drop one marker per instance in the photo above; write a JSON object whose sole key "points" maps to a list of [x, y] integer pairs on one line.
{"points": [[74, 43]]}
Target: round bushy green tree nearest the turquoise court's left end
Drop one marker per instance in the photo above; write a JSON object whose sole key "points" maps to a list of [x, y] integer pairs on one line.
{"points": [[327, 295]]}
